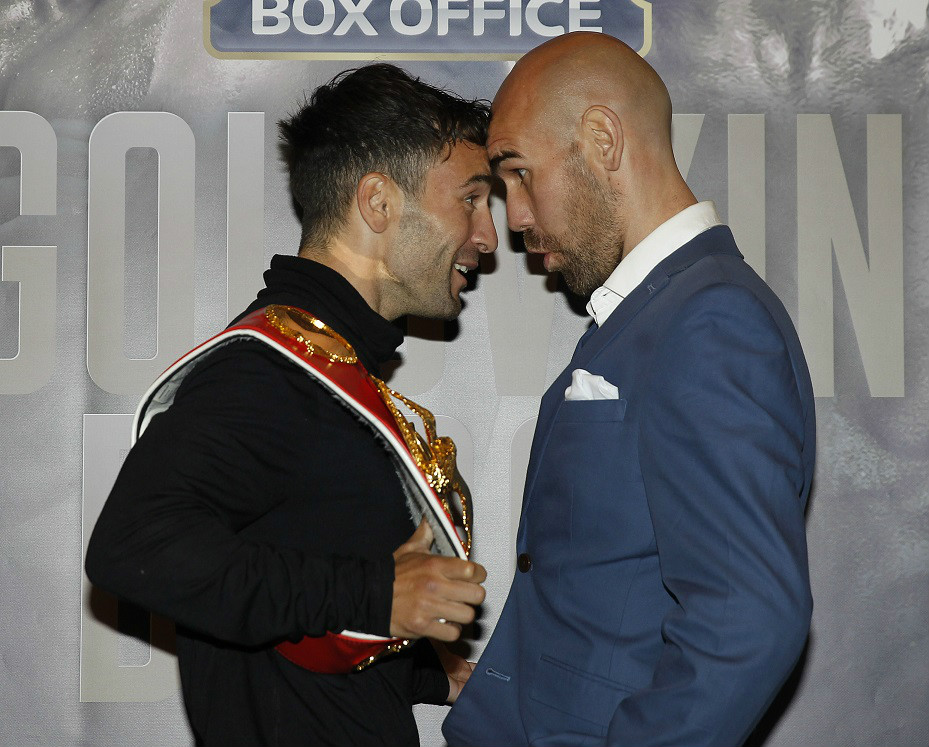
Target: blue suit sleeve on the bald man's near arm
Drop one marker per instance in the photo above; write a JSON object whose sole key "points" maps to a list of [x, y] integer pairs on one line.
{"points": [[720, 449]]}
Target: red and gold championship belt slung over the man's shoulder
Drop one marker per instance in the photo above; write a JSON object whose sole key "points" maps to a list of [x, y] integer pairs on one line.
{"points": [[424, 461]]}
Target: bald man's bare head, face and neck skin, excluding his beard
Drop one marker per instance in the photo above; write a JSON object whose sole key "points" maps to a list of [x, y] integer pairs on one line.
{"points": [[585, 109]]}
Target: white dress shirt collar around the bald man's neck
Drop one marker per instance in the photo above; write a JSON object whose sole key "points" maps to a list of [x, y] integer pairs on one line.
{"points": [[645, 256]]}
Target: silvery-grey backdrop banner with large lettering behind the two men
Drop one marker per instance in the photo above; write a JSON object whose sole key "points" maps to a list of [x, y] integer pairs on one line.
{"points": [[142, 195]]}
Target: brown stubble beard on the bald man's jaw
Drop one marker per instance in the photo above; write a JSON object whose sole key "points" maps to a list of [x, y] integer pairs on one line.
{"points": [[591, 244]]}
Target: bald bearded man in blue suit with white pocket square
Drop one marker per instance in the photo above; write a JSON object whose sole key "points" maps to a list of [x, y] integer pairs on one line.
{"points": [[662, 592]]}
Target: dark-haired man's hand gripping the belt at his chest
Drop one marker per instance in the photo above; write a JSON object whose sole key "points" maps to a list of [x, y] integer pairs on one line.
{"points": [[433, 595]]}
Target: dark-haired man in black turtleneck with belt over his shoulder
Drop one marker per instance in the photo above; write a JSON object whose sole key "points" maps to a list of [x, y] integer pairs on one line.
{"points": [[267, 503]]}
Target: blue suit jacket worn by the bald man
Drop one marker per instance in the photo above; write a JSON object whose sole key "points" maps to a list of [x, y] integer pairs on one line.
{"points": [[668, 597]]}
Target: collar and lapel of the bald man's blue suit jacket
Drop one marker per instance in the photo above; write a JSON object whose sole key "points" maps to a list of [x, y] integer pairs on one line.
{"points": [[716, 240]]}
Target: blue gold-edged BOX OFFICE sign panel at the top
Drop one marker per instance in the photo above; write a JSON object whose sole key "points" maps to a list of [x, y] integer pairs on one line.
{"points": [[412, 29]]}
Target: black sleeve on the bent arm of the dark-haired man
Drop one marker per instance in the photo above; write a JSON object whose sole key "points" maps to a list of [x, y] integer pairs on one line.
{"points": [[168, 536]]}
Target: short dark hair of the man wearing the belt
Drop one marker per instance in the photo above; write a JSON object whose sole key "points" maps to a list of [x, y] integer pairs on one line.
{"points": [[373, 118]]}
